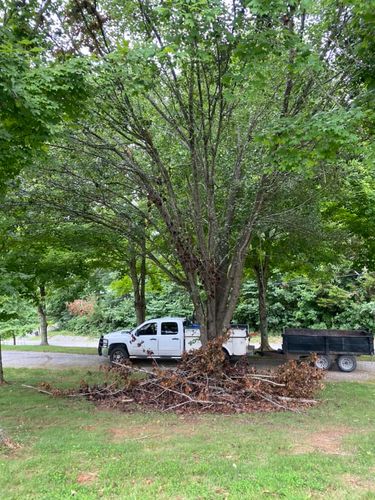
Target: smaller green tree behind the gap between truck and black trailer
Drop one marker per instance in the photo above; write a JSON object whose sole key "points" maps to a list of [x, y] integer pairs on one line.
{"points": [[295, 238]]}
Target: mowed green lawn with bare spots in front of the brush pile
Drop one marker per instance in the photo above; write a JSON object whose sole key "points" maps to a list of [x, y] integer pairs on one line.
{"points": [[69, 448]]}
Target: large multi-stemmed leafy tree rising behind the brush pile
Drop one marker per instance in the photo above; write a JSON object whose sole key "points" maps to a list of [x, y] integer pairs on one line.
{"points": [[203, 112]]}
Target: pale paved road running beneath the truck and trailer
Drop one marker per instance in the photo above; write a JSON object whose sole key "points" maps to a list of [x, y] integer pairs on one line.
{"points": [[23, 359]]}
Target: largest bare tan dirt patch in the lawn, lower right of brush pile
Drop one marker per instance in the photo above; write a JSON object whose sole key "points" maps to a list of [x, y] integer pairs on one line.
{"points": [[327, 441]]}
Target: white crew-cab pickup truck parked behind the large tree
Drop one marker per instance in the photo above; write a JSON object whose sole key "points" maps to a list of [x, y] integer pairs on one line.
{"points": [[165, 338]]}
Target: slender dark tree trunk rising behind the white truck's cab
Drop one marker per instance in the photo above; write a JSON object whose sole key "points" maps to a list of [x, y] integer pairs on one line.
{"points": [[137, 270]]}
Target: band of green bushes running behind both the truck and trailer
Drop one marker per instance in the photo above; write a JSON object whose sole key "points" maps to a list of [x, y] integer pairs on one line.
{"points": [[335, 299]]}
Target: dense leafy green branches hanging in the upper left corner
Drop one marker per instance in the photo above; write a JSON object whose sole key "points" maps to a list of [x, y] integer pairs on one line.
{"points": [[36, 93]]}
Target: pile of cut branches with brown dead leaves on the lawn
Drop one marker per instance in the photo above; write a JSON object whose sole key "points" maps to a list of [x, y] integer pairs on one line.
{"points": [[204, 382]]}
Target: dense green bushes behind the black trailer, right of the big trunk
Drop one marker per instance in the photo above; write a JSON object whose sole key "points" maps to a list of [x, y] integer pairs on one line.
{"points": [[346, 300]]}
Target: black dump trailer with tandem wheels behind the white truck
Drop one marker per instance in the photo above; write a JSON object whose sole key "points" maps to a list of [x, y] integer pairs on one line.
{"points": [[341, 346]]}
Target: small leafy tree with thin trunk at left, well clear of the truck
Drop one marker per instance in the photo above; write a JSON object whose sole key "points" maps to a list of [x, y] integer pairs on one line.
{"points": [[36, 256]]}
